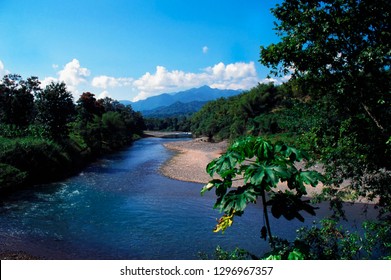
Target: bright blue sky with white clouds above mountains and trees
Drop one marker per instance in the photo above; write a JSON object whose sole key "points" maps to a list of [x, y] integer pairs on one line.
{"points": [[134, 49]]}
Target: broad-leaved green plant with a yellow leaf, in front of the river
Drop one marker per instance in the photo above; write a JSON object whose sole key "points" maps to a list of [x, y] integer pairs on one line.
{"points": [[259, 166]]}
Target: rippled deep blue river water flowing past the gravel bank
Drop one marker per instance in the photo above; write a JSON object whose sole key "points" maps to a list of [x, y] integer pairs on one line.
{"points": [[121, 207]]}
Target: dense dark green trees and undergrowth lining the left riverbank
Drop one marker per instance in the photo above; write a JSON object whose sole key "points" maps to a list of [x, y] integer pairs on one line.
{"points": [[45, 136]]}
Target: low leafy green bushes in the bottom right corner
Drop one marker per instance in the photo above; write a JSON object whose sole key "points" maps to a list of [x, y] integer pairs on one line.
{"points": [[327, 240]]}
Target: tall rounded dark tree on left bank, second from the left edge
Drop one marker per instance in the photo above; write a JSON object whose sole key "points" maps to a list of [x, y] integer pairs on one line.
{"points": [[55, 110]]}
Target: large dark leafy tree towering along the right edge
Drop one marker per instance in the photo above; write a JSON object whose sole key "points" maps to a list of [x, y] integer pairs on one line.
{"points": [[339, 51]]}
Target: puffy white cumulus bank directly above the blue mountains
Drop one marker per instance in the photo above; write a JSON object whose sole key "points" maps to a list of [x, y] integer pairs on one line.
{"points": [[231, 76]]}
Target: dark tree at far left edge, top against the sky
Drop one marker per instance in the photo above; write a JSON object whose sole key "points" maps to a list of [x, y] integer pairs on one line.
{"points": [[17, 100]]}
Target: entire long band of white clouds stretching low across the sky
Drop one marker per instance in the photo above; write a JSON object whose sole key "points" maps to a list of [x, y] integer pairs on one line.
{"points": [[236, 76]]}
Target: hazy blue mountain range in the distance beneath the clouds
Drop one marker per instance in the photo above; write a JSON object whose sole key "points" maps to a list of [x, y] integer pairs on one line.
{"points": [[179, 103]]}
